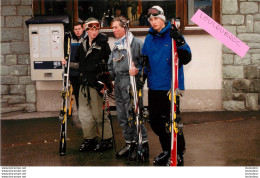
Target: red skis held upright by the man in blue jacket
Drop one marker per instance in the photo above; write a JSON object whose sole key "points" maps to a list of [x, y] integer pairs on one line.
{"points": [[174, 97]]}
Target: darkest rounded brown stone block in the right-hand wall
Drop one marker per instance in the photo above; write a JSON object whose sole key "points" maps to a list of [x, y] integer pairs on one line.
{"points": [[242, 86]]}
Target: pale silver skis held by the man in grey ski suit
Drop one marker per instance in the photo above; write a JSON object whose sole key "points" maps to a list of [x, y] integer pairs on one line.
{"points": [[134, 96]]}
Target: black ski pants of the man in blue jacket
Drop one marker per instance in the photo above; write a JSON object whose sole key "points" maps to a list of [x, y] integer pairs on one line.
{"points": [[159, 113]]}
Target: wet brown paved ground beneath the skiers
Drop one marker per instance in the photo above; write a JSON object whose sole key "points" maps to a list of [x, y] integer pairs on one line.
{"points": [[212, 139]]}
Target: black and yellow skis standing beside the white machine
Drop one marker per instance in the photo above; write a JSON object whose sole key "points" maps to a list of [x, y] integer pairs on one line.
{"points": [[65, 92]]}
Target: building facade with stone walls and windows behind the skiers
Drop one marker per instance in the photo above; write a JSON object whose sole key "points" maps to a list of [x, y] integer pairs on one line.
{"points": [[216, 79]]}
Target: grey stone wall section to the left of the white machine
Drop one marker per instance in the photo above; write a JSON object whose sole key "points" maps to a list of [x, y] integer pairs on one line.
{"points": [[17, 89]]}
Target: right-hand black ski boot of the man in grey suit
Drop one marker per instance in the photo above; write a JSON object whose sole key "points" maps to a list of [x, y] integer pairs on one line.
{"points": [[145, 149]]}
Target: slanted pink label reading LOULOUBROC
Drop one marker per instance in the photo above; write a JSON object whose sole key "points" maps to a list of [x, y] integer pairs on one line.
{"points": [[219, 32]]}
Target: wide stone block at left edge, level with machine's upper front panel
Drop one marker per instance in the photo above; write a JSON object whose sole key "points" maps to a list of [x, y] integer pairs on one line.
{"points": [[12, 34]]}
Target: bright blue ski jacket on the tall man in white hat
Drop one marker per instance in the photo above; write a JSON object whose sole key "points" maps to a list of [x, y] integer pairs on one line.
{"points": [[158, 48]]}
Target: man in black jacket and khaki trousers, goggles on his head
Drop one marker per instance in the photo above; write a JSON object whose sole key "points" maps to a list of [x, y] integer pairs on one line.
{"points": [[93, 52]]}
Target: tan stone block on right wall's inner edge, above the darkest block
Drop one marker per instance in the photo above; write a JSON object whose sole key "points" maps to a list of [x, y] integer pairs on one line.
{"points": [[233, 72]]}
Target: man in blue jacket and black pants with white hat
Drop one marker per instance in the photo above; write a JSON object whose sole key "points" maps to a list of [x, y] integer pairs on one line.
{"points": [[158, 48]]}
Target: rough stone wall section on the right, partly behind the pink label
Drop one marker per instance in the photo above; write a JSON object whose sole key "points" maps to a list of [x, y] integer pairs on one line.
{"points": [[241, 76]]}
